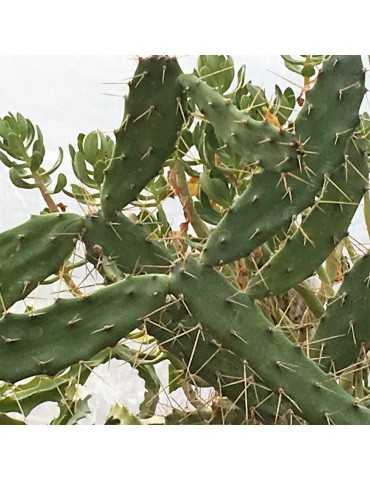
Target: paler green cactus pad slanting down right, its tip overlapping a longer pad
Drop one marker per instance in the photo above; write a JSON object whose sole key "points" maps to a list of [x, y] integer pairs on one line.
{"points": [[256, 141]]}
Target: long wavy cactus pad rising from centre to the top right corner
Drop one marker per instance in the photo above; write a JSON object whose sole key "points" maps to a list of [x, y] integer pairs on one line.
{"points": [[273, 199]]}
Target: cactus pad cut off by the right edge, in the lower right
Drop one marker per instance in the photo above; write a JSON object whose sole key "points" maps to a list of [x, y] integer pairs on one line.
{"points": [[343, 335]]}
